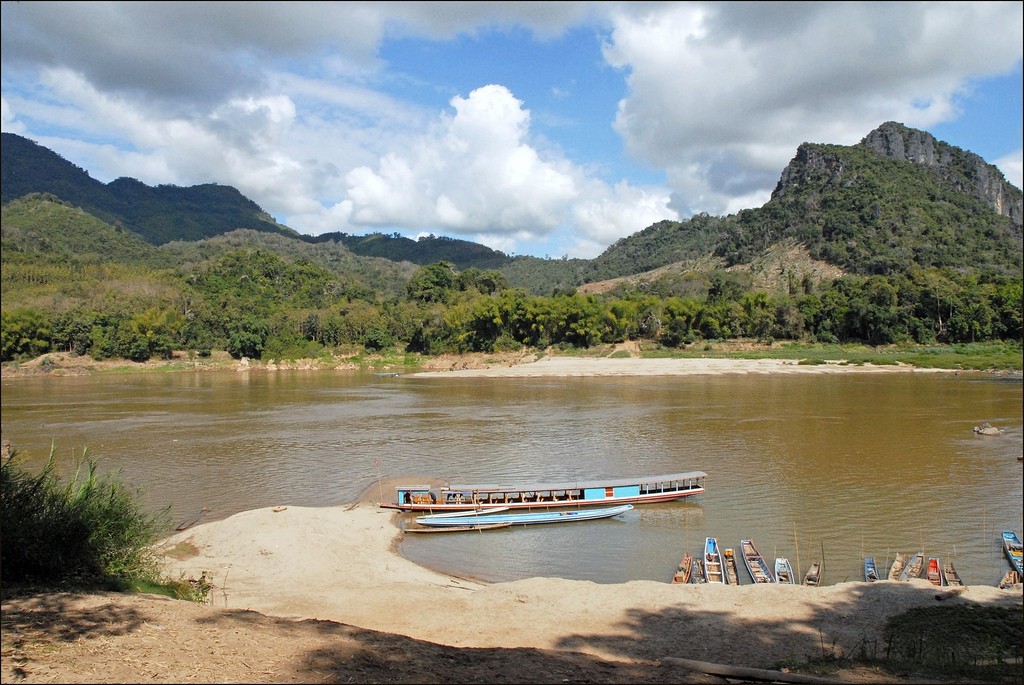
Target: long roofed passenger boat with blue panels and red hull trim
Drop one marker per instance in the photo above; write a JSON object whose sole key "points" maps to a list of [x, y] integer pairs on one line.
{"points": [[648, 490]]}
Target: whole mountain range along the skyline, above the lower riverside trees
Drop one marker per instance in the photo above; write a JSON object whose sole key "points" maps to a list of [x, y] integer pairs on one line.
{"points": [[897, 201]]}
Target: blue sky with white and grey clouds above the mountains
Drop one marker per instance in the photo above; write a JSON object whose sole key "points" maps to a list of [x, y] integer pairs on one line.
{"points": [[550, 130]]}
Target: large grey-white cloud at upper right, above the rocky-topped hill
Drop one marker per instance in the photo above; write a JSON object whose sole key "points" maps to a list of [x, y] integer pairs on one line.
{"points": [[721, 95]]}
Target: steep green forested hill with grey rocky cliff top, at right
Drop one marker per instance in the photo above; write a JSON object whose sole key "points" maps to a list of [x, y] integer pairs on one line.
{"points": [[899, 200]]}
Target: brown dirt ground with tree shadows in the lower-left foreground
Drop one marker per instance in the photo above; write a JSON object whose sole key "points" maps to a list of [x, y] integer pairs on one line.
{"points": [[114, 638]]}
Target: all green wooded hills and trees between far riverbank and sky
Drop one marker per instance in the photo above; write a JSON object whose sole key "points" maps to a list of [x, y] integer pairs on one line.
{"points": [[856, 246]]}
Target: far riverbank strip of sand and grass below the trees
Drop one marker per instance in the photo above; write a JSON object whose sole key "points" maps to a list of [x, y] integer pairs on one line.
{"points": [[623, 359]]}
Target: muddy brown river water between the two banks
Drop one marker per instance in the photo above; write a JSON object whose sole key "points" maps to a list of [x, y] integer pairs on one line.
{"points": [[817, 467]]}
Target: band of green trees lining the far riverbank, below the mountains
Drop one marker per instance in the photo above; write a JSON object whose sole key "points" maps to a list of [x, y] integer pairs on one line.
{"points": [[255, 305]]}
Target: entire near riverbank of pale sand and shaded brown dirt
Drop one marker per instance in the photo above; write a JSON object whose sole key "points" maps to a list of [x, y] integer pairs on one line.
{"points": [[322, 595]]}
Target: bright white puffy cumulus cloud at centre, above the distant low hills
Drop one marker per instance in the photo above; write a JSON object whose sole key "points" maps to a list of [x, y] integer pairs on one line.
{"points": [[476, 172]]}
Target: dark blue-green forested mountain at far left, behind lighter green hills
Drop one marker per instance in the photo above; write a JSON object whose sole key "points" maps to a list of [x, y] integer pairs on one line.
{"points": [[158, 215]]}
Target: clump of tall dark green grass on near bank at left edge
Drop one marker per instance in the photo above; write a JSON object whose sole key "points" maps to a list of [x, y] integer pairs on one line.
{"points": [[90, 532]]}
